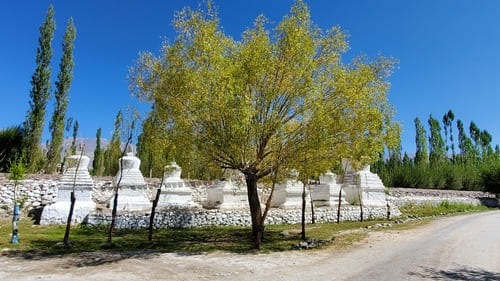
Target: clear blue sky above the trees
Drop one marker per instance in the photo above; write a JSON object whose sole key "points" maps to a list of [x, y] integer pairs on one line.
{"points": [[449, 53]]}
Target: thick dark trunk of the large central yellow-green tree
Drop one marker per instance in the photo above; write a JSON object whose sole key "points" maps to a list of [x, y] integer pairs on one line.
{"points": [[255, 210]]}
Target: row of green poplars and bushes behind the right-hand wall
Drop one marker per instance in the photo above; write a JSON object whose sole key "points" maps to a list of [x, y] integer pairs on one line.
{"points": [[467, 162]]}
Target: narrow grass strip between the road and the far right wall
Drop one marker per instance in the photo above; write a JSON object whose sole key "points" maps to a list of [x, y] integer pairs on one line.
{"points": [[445, 207]]}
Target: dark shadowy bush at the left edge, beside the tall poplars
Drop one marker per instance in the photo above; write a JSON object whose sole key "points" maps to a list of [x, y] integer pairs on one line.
{"points": [[11, 146]]}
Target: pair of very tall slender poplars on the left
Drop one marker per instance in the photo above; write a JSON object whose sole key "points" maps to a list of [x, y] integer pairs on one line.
{"points": [[33, 154]]}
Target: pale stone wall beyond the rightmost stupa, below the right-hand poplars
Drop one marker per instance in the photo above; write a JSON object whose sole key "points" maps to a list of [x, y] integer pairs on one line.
{"points": [[403, 196]]}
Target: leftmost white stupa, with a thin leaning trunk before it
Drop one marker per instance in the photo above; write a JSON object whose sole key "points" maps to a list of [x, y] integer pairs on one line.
{"points": [[57, 213]]}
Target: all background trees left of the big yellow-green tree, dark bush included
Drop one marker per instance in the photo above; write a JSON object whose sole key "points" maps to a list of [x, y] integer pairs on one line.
{"points": [[24, 142]]}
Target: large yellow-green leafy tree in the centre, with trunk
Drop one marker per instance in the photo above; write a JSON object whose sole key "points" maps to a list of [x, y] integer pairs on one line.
{"points": [[268, 101]]}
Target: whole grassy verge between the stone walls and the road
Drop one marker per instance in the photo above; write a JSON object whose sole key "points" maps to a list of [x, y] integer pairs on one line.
{"points": [[44, 239]]}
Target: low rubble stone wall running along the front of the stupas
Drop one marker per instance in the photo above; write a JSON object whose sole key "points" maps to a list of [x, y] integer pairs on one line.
{"points": [[241, 217]]}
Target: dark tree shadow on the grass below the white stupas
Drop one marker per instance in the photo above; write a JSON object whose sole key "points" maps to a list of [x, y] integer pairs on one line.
{"points": [[89, 246]]}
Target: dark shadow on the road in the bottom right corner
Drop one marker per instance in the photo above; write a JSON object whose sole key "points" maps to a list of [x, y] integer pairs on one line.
{"points": [[458, 273]]}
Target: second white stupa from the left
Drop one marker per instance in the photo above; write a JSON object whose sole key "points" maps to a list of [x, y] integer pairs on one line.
{"points": [[132, 191]]}
